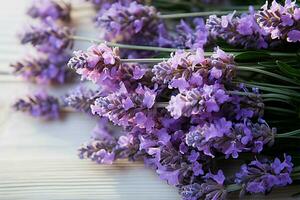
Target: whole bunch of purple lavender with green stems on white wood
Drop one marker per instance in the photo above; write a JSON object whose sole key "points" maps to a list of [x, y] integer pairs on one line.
{"points": [[184, 92]]}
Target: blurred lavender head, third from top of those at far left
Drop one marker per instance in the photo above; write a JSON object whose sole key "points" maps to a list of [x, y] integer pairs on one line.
{"points": [[43, 69]]}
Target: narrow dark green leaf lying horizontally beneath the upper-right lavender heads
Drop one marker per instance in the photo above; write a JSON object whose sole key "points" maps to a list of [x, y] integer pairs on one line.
{"points": [[252, 56]]}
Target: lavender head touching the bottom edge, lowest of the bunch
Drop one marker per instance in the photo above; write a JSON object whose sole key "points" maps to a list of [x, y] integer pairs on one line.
{"points": [[211, 188]]}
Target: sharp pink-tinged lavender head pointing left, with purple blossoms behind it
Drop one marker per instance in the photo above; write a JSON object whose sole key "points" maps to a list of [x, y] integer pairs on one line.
{"points": [[102, 65]]}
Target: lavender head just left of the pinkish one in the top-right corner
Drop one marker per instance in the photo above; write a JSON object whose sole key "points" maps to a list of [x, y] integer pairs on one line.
{"points": [[238, 31]]}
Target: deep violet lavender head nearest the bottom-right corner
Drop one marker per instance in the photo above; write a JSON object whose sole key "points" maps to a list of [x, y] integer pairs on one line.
{"points": [[262, 176]]}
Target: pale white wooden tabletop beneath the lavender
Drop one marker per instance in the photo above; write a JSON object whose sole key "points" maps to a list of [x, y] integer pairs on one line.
{"points": [[38, 160]]}
